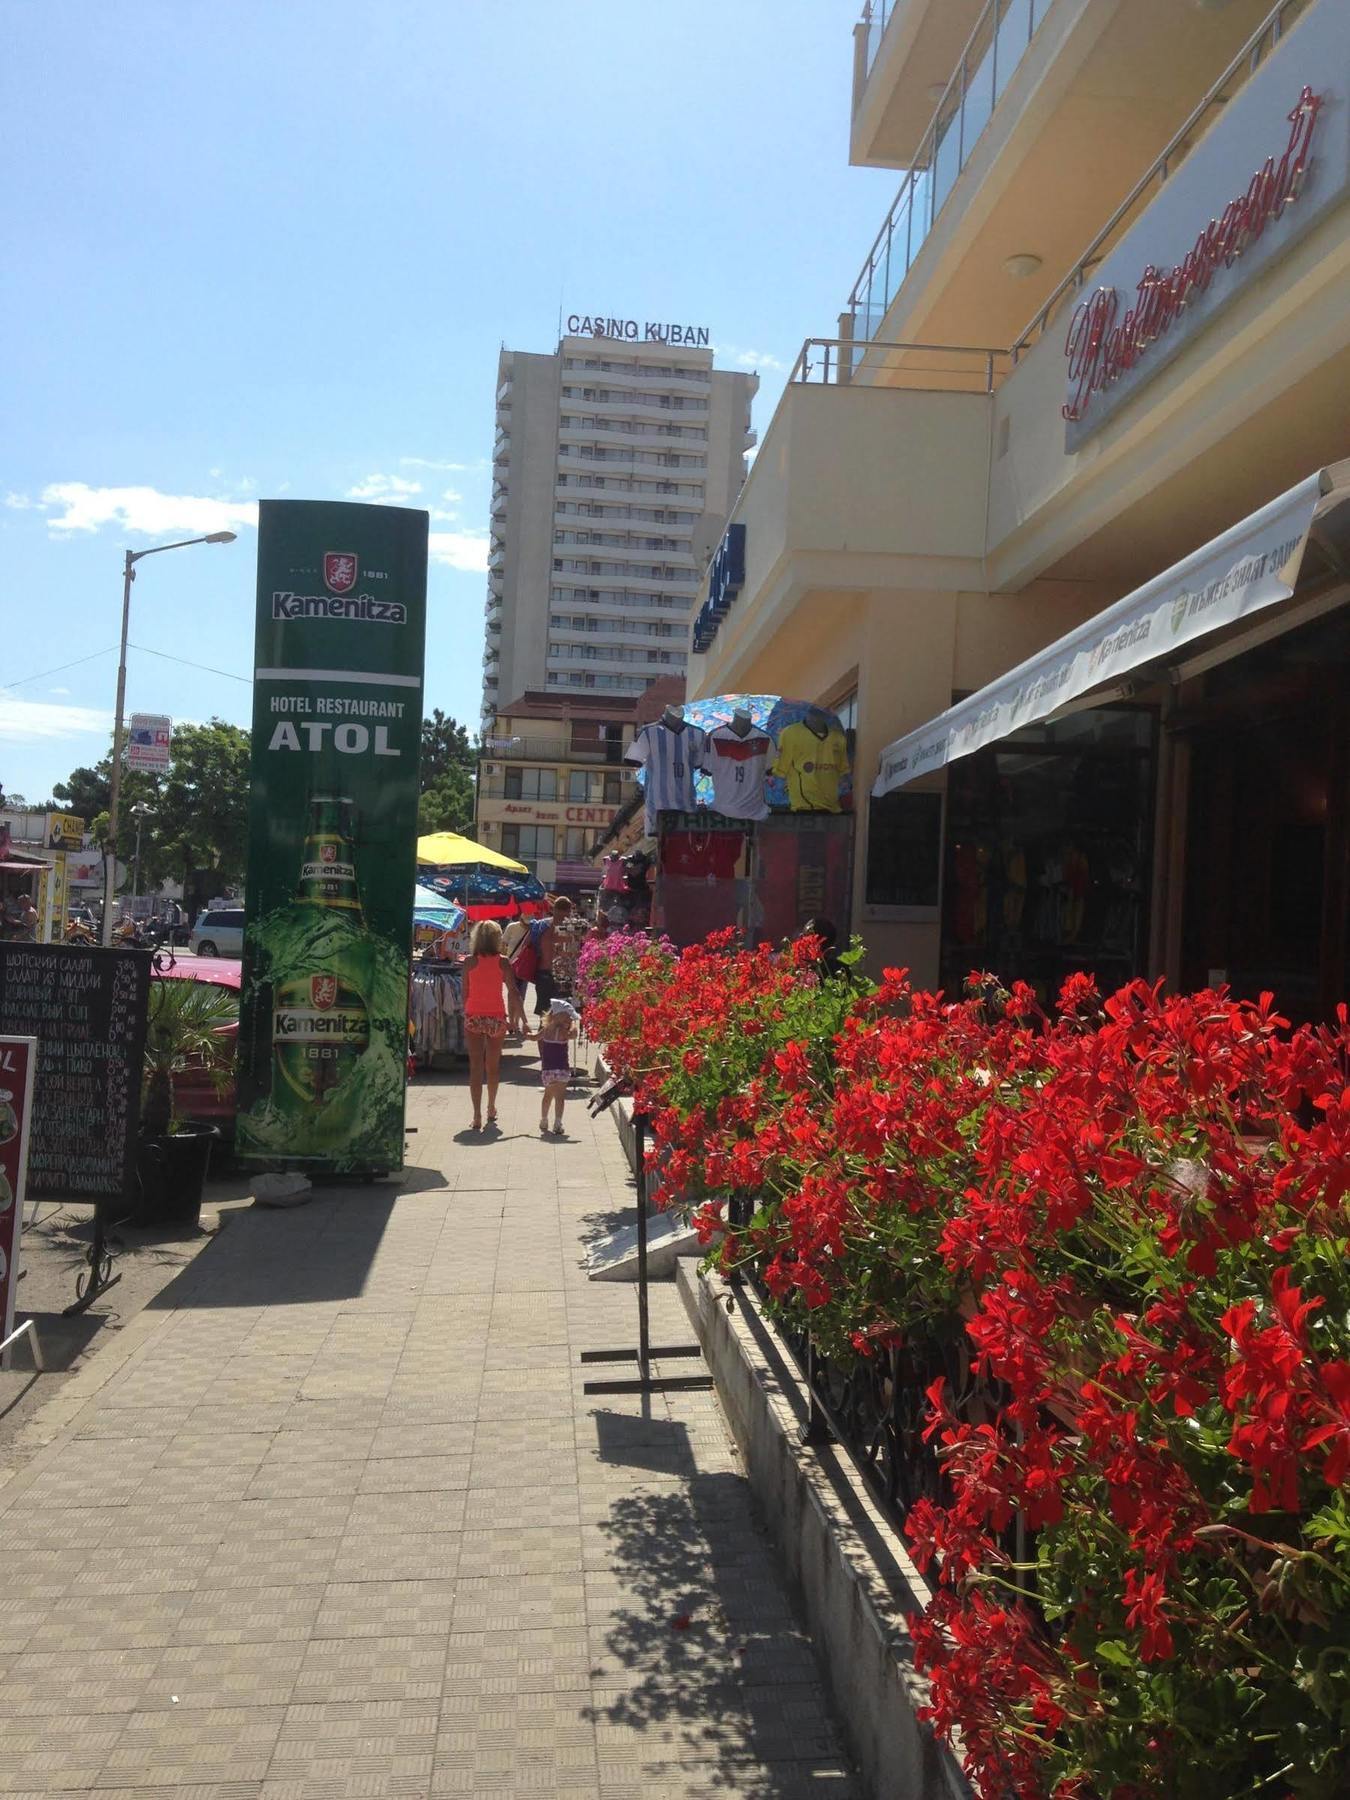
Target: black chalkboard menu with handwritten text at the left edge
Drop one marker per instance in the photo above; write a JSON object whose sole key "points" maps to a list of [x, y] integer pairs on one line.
{"points": [[87, 1009]]}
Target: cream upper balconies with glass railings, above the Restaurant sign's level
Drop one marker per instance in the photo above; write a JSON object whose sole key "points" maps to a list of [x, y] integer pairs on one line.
{"points": [[1041, 123]]}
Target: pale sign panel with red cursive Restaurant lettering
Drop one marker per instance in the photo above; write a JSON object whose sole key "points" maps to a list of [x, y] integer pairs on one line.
{"points": [[1259, 181]]}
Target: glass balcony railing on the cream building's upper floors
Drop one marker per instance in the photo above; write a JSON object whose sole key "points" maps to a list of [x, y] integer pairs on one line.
{"points": [[989, 62]]}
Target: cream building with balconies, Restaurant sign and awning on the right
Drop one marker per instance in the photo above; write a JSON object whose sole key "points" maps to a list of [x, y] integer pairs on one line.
{"points": [[1056, 517]]}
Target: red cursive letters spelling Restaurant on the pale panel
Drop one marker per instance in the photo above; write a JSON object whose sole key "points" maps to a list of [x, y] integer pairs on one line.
{"points": [[1101, 350]]}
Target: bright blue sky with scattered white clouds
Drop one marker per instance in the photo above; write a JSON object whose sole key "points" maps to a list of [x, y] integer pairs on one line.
{"points": [[274, 247]]}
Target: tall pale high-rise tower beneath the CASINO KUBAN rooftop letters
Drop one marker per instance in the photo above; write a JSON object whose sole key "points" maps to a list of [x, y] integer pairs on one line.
{"points": [[615, 471]]}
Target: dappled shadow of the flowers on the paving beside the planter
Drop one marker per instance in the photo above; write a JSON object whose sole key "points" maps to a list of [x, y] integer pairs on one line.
{"points": [[705, 1653]]}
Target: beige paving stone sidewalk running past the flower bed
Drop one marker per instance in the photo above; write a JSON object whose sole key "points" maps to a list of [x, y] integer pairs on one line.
{"points": [[345, 1524]]}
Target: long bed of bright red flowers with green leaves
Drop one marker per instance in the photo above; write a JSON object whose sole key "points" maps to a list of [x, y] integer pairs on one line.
{"points": [[1137, 1210]]}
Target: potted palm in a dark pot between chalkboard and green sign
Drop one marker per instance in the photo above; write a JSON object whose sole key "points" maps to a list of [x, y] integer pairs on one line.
{"points": [[186, 1029]]}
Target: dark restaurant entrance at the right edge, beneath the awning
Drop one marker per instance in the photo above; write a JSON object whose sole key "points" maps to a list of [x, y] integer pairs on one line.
{"points": [[1268, 823]]}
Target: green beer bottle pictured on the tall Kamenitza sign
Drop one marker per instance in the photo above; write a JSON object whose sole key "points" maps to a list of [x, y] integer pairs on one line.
{"points": [[319, 1020]]}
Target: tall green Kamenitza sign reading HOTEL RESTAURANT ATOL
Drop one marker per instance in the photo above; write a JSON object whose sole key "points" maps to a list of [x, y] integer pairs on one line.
{"points": [[332, 834]]}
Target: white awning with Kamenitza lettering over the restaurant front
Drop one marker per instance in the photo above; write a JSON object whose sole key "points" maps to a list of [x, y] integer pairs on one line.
{"points": [[1248, 568]]}
